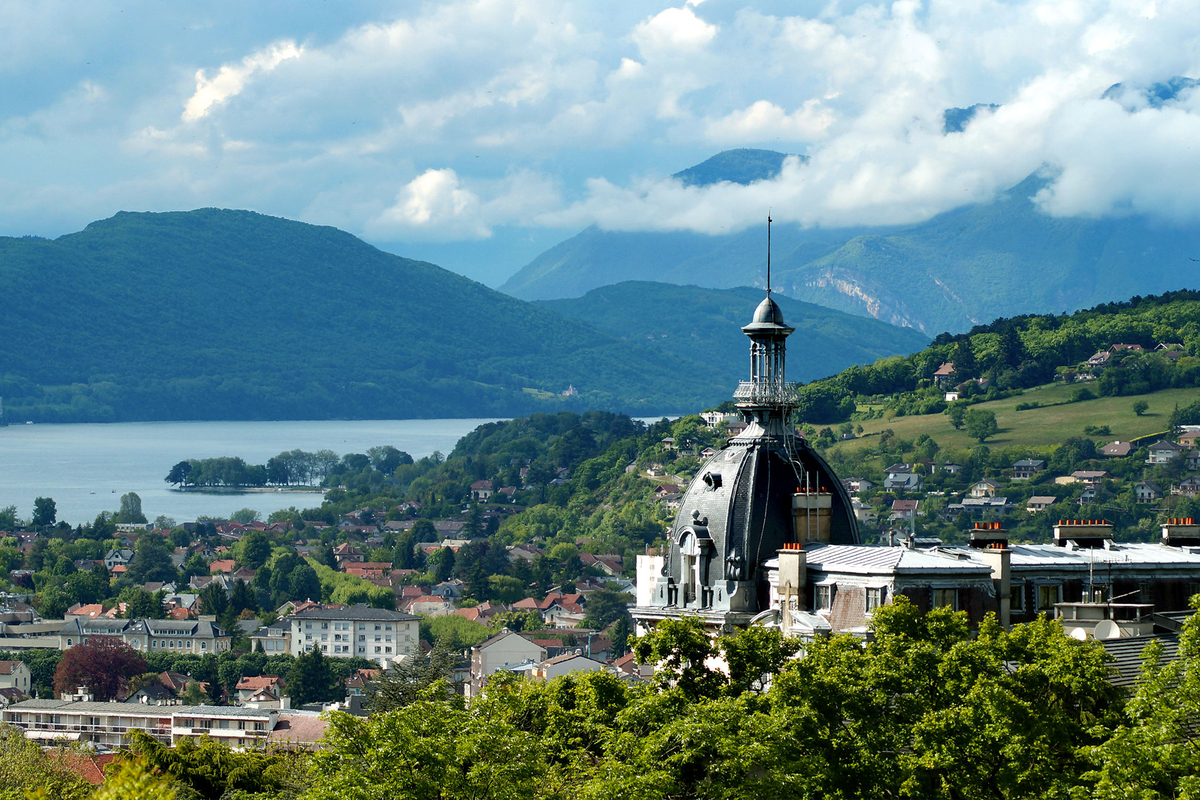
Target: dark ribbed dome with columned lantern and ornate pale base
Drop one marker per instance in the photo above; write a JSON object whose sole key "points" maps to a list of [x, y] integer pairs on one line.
{"points": [[765, 492]]}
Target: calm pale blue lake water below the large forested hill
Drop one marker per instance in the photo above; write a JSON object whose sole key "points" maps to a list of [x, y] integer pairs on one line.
{"points": [[87, 468]]}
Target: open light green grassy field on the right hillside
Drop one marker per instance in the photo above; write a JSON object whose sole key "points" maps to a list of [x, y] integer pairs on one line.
{"points": [[1042, 426]]}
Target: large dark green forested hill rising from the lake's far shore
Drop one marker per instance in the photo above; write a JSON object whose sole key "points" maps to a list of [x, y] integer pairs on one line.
{"points": [[233, 315]]}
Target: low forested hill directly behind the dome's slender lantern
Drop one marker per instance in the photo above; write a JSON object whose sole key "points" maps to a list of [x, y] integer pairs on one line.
{"points": [[703, 326]]}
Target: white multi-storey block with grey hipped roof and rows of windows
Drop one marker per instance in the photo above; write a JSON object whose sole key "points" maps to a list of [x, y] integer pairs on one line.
{"points": [[357, 631]]}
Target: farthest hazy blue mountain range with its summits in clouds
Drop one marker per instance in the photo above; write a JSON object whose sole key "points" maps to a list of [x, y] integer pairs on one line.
{"points": [[950, 273]]}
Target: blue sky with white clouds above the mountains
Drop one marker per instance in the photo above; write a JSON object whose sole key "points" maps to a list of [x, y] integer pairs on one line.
{"points": [[478, 134]]}
